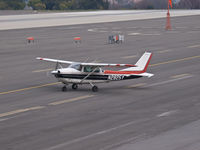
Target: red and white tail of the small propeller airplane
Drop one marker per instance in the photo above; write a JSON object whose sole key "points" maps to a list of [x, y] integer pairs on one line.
{"points": [[141, 65]]}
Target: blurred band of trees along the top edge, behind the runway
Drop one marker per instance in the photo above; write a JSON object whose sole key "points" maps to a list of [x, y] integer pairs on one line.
{"points": [[96, 4]]}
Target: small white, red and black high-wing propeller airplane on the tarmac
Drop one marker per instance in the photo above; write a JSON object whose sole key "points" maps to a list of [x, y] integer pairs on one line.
{"points": [[90, 73]]}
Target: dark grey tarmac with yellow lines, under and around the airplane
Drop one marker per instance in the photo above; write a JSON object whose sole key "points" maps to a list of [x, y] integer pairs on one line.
{"points": [[155, 113]]}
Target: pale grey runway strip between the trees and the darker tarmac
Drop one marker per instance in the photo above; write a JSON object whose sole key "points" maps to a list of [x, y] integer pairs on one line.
{"points": [[46, 19]]}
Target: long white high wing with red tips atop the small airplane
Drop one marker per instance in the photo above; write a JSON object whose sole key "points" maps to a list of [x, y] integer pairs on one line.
{"points": [[86, 64]]}
